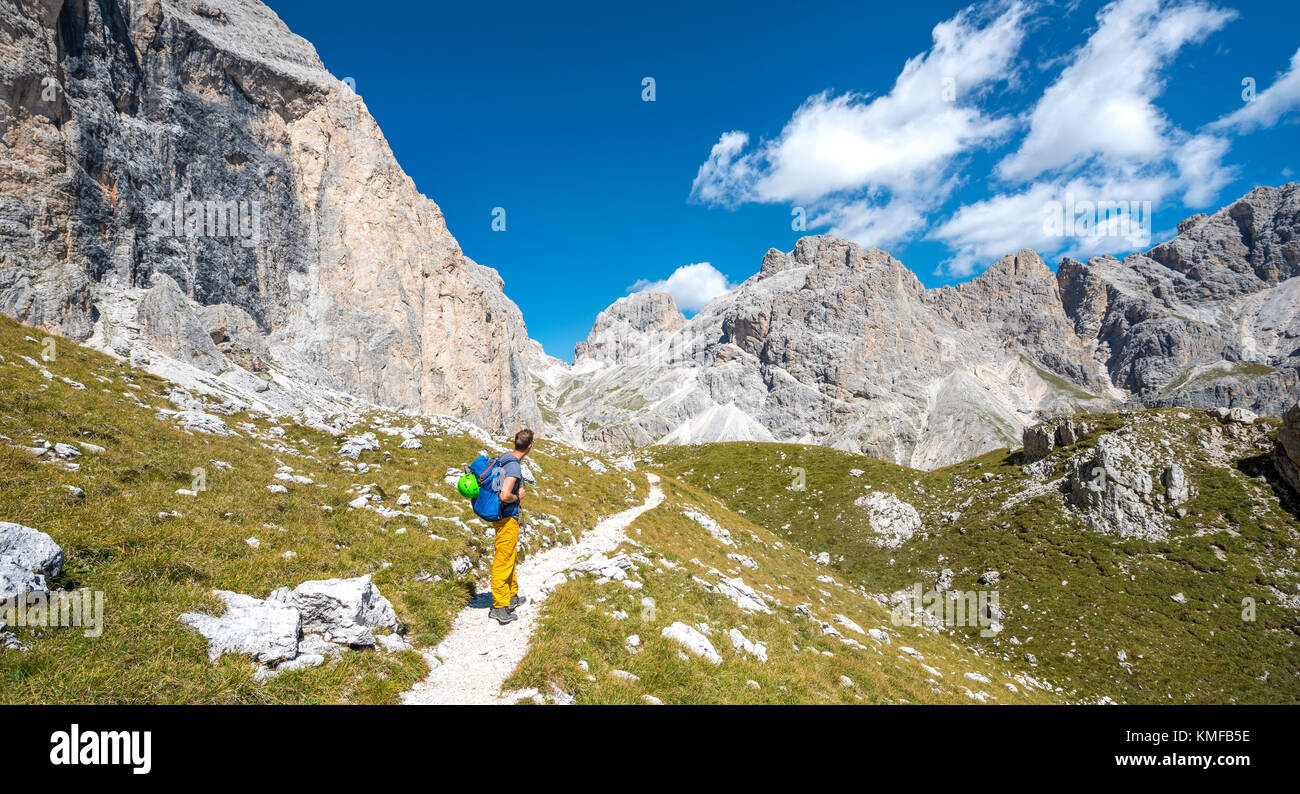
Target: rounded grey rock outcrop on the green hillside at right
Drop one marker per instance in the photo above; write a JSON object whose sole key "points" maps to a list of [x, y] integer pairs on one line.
{"points": [[1113, 488]]}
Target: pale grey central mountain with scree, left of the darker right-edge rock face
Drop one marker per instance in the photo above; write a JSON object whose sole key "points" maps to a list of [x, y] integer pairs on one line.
{"points": [[831, 344]]}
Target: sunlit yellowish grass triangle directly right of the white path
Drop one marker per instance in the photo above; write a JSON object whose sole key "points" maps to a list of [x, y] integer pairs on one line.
{"points": [[584, 623]]}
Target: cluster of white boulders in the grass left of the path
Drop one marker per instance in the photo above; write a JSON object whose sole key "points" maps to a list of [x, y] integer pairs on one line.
{"points": [[300, 628]]}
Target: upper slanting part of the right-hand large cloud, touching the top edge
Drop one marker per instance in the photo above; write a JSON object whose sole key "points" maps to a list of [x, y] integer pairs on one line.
{"points": [[1102, 106]]}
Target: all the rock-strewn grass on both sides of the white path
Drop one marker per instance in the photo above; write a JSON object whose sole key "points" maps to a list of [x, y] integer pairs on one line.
{"points": [[1073, 598]]}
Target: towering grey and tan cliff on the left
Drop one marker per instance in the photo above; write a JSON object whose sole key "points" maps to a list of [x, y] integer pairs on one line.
{"points": [[201, 150]]}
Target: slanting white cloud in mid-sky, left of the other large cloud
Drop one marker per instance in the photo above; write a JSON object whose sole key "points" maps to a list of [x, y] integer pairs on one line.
{"points": [[863, 164]]}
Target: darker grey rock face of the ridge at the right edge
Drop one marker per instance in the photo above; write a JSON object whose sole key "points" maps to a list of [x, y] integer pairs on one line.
{"points": [[1210, 319]]}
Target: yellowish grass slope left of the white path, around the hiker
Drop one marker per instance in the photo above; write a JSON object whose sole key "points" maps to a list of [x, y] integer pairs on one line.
{"points": [[153, 569]]}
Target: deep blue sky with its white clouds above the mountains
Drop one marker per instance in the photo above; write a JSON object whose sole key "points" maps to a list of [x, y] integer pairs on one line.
{"points": [[946, 133]]}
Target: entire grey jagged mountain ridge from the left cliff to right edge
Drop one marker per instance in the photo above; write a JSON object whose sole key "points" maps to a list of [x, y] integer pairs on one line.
{"points": [[831, 344]]}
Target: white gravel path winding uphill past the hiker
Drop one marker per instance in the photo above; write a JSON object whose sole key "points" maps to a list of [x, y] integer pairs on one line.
{"points": [[479, 654]]}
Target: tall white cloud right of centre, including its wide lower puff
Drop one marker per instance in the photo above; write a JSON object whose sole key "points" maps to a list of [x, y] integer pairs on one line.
{"points": [[1097, 138]]}
